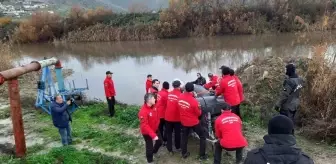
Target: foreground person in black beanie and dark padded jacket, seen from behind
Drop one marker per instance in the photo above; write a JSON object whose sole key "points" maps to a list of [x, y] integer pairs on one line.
{"points": [[280, 145]]}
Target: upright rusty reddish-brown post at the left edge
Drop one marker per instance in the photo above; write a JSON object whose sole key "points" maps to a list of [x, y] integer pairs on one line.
{"points": [[16, 114]]}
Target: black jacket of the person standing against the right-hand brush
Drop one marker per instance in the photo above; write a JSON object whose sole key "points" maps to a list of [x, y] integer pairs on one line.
{"points": [[290, 96]]}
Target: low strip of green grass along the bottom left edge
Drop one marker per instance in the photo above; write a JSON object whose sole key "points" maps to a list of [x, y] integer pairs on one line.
{"points": [[67, 155]]}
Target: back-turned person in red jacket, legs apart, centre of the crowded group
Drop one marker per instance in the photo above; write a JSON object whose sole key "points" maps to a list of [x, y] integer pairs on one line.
{"points": [[189, 112]]}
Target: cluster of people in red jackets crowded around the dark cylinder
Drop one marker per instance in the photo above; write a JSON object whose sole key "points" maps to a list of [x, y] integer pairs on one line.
{"points": [[177, 111]]}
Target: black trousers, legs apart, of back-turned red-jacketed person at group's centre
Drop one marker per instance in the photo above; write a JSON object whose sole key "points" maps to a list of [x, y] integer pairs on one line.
{"points": [[200, 132]]}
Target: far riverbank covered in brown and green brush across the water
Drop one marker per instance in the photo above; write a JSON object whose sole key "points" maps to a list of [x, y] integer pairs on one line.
{"points": [[184, 19]]}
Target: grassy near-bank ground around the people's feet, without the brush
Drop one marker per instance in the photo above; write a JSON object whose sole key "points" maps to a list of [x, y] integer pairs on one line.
{"points": [[100, 139]]}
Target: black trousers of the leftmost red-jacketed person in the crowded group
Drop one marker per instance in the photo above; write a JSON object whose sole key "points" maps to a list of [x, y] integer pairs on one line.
{"points": [[150, 148]]}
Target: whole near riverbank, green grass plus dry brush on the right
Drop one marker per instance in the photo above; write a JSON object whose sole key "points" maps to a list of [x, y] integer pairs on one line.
{"points": [[98, 137]]}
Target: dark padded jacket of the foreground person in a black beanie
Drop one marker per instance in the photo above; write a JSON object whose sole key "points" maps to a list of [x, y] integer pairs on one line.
{"points": [[278, 149]]}
